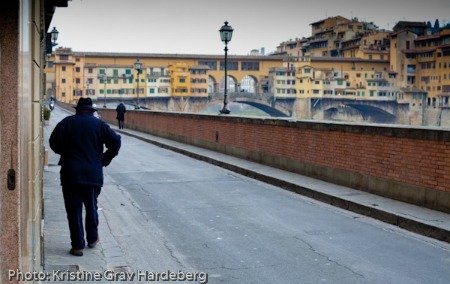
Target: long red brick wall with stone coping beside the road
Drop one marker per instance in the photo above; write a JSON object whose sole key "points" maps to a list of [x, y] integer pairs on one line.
{"points": [[405, 163]]}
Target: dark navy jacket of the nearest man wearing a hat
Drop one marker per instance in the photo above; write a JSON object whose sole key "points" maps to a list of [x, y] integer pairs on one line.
{"points": [[79, 139]]}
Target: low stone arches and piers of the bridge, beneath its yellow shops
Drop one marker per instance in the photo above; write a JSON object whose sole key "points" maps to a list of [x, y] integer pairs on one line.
{"points": [[381, 110]]}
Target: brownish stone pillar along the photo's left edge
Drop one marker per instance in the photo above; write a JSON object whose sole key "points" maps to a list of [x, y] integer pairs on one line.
{"points": [[9, 139]]}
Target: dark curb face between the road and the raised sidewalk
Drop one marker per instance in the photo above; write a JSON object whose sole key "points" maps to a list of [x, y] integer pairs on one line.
{"points": [[373, 212]]}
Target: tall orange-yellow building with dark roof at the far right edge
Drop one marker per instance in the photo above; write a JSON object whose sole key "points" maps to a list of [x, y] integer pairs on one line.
{"points": [[422, 61]]}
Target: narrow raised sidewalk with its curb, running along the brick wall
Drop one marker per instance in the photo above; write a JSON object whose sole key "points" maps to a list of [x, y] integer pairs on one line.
{"points": [[424, 221]]}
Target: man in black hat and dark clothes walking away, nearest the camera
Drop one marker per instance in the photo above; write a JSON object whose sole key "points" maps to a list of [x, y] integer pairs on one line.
{"points": [[79, 139]]}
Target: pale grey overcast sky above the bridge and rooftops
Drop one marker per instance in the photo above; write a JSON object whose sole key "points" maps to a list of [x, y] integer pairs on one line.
{"points": [[192, 26]]}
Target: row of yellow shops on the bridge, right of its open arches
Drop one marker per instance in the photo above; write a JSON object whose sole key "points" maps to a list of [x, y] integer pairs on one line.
{"points": [[319, 77]]}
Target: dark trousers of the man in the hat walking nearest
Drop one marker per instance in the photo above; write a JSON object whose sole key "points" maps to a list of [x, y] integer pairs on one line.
{"points": [[74, 198]]}
